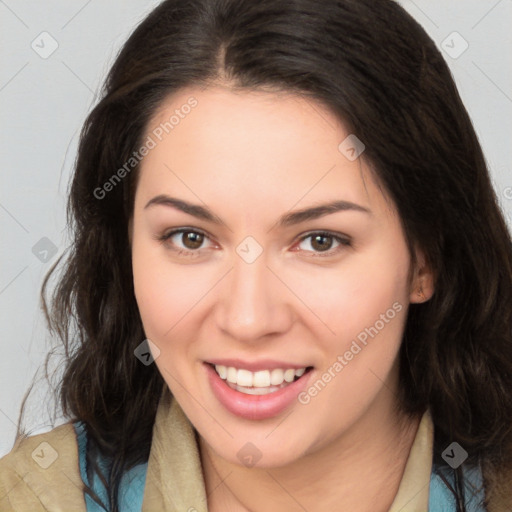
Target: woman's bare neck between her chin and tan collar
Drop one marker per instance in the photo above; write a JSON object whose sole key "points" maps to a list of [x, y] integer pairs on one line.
{"points": [[360, 470]]}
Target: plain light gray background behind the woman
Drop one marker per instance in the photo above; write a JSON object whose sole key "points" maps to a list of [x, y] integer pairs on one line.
{"points": [[44, 102]]}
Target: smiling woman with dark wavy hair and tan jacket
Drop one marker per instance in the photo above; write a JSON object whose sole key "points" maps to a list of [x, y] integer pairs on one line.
{"points": [[290, 279]]}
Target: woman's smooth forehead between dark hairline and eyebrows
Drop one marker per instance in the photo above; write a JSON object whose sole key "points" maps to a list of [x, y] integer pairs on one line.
{"points": [[250, 147]]}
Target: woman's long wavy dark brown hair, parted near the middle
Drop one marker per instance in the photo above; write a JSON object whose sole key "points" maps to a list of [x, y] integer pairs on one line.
{"points": [[376, 69]]}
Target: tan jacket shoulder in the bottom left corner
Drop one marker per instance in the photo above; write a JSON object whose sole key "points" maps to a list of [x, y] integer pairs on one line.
{"points": [[41, 473]]}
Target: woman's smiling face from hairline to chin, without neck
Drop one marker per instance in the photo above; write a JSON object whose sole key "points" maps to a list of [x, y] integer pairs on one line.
{"points": [[253, 285]]}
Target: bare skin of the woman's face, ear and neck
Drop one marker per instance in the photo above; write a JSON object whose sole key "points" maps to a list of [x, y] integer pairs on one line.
{"points": [[251, 157]]}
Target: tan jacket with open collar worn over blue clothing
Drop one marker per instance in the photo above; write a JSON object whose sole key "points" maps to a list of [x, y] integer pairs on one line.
{"points": [[174, 481]]}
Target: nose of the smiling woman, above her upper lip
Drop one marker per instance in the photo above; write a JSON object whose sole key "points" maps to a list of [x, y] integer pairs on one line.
{"points": [[254, 303]]}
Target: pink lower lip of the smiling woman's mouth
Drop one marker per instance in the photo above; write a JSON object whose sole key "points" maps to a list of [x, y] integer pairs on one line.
{"points": [[255, 407]]}
